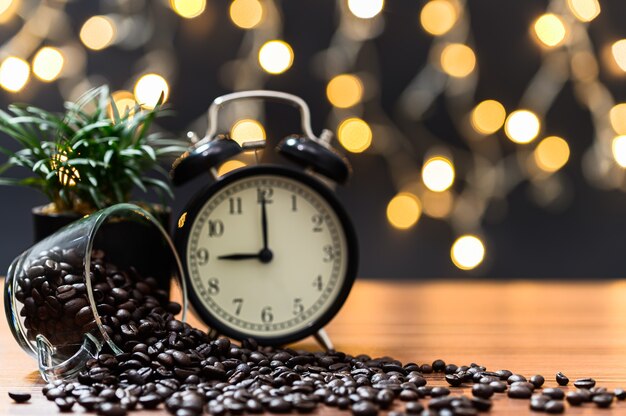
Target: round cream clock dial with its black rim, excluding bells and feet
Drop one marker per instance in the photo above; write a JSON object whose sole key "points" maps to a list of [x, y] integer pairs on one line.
{"points": [[270, 254]]}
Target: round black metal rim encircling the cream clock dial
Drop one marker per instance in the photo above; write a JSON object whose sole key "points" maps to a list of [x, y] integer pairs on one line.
{"points": [[182, 234]]}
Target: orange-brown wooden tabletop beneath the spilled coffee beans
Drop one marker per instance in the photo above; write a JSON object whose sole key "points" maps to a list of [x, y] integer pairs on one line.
{"points": [[525, 326]]}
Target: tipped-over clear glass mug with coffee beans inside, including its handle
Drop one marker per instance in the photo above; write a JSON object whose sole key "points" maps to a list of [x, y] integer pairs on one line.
{"points": [[65, 295]]}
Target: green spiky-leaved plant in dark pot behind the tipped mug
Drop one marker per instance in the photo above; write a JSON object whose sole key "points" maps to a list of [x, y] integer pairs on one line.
{"points": [[87, 158]]}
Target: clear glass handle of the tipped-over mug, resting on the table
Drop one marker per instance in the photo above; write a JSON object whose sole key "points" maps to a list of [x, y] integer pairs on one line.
{"points": [[51, 368]]}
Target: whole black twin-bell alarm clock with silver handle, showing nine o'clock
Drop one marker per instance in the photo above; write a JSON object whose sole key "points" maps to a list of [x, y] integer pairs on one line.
{"points": [[268, 250]]}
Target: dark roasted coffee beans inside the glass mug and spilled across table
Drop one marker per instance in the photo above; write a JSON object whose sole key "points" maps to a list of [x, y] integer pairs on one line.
{"points": [[168, 364]]}
